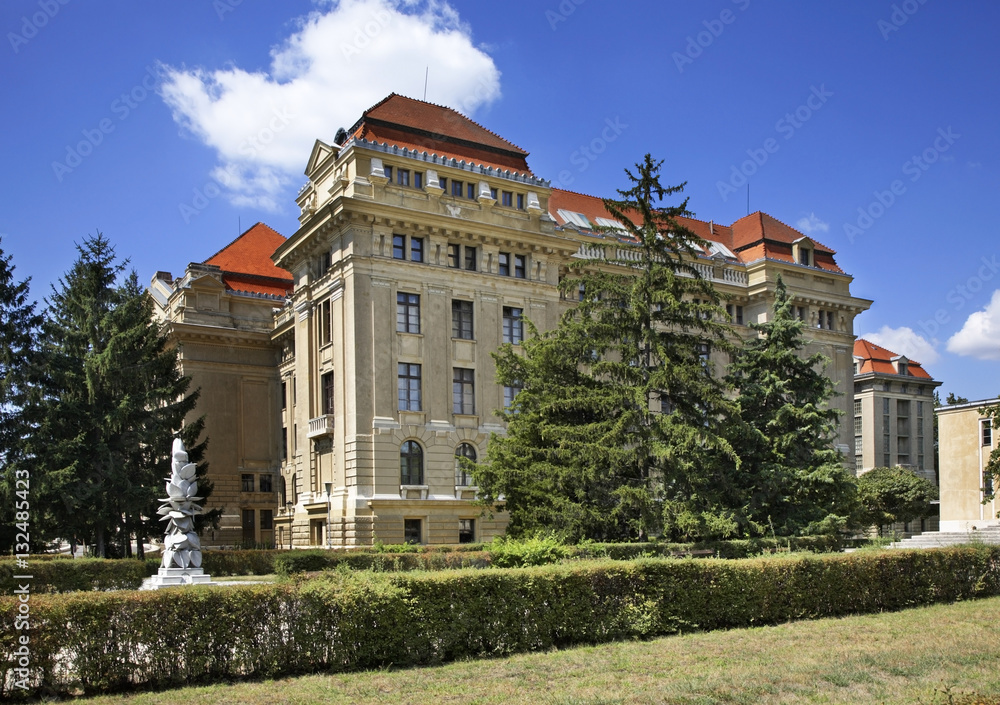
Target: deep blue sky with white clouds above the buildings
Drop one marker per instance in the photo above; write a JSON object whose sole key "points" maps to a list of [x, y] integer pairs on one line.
{"points": [[871, 125]]}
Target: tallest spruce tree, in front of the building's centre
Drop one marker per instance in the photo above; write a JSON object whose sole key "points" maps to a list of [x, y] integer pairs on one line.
{"points": [[616, 432]]}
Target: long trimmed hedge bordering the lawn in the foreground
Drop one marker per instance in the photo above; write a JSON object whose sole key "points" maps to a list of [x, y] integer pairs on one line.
{"points": [[109, 642]]}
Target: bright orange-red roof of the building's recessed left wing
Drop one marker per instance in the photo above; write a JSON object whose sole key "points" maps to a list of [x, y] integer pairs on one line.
{"points": [[246, 263]]}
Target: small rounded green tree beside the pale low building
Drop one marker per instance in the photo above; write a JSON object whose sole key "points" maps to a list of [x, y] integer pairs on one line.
{"points": [[896, 494]]}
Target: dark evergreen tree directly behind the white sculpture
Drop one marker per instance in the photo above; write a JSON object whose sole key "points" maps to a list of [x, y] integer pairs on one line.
{"points": [[112, 401]]}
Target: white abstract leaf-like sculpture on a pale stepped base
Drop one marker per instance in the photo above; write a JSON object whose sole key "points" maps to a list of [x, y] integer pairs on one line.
{"points": [[181, 563]]}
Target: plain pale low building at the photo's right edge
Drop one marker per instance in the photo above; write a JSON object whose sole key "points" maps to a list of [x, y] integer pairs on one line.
{"points": [[965, 440]]}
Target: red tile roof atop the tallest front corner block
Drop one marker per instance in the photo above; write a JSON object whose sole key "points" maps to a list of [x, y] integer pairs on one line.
{"points": [[416, 124]]}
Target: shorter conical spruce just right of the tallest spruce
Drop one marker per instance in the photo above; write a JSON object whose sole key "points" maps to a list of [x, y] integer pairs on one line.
{"points": [[794, 477]]}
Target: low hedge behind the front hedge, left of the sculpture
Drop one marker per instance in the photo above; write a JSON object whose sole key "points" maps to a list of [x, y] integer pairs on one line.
{"points": [[69, 575]]}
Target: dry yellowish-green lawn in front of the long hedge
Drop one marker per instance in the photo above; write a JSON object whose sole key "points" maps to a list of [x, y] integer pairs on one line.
{"points": [[941, 654]]}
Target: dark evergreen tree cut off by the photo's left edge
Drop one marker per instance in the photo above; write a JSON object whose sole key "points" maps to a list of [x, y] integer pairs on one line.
{"points": [[19, 324]]}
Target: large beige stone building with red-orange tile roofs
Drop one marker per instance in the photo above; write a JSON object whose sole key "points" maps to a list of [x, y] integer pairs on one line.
{"points": [[347, 369]]}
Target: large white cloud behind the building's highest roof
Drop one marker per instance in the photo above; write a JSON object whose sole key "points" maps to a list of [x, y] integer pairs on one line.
{"points": [[344, 57]]}
